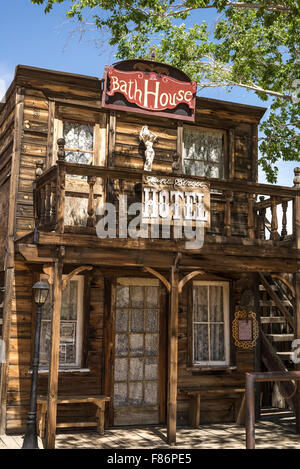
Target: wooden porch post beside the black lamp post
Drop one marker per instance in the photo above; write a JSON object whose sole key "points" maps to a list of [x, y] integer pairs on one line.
{"points": [[54, 354]]}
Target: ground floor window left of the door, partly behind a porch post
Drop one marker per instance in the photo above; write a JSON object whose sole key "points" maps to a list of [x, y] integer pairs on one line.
{"points": [[70, 349]]}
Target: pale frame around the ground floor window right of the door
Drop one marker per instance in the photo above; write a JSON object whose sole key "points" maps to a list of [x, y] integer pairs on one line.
{"points": [[215, 363]]}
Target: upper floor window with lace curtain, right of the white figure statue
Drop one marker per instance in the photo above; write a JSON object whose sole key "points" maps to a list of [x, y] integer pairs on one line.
{"points": [[203, 152]]}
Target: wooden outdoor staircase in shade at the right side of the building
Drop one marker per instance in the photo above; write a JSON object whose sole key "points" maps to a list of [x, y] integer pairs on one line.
{"points": [[276, 298]]}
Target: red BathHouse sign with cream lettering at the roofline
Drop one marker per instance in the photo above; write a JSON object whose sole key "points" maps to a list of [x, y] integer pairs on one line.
{"points": [[150, 91]]}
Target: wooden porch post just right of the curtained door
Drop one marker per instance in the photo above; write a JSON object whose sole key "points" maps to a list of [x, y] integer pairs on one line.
{"points": [[172, 357]]}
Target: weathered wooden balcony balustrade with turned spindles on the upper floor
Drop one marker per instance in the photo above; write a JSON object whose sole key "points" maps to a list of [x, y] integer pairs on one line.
{"points": [[251, 199]]}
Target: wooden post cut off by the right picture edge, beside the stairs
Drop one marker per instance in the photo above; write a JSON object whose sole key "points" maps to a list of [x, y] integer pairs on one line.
{"points": [[296, 213]]}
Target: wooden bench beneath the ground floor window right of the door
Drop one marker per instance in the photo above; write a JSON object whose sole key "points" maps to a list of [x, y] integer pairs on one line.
{"points": [[195, 395]]}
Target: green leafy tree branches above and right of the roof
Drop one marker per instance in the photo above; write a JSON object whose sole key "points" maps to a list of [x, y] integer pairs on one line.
{"points": [[255, 45]]}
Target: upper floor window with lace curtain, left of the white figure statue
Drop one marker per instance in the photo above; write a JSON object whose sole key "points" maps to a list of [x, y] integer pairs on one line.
{"points": [[79, 142]]}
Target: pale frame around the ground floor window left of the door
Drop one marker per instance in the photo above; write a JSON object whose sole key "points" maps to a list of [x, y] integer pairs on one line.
{"points": [[79, 335]]}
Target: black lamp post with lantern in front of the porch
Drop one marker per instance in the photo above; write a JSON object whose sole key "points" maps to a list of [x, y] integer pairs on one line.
{"points": [[41, 290]]}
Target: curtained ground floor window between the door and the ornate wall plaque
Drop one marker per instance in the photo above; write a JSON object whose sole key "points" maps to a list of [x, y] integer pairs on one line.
{"points": [[210, 324]]}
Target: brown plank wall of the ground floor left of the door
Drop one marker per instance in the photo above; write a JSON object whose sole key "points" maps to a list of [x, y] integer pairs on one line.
{"points": [[86, 381]]}
